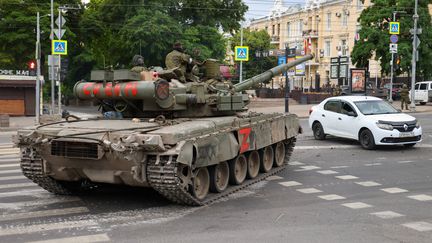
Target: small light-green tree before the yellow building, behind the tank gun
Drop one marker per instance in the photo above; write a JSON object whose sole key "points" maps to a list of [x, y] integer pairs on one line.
{"points": [[257, 41]]}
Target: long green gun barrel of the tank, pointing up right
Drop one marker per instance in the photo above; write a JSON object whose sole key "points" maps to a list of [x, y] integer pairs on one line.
{"points": [[269, 74]]}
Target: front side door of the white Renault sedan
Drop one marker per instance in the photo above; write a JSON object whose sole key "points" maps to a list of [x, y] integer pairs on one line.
{"points": [[347, 121]]}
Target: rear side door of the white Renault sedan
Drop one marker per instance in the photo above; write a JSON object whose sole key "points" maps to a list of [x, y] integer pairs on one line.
{"points": [[329, 116]]}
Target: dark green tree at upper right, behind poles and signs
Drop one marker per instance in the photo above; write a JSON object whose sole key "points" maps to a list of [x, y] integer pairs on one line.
{"points": [[374, 36]]}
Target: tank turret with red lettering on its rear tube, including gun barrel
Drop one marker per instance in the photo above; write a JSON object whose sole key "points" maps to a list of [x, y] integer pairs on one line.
{"points": [[162, 94]]}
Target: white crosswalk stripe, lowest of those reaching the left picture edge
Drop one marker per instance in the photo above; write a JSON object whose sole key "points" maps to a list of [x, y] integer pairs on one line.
{"points": [[46, 227]]}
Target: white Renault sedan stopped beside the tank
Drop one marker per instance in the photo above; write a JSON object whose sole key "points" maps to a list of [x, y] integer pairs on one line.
{"points": [[370, 120]]}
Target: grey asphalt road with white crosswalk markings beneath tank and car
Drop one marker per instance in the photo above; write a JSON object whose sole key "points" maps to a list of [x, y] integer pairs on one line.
{"points": [[333, 191]]}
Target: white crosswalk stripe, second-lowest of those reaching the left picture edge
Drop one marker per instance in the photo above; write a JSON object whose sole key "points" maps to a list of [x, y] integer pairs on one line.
{"points": [[44, 213]]}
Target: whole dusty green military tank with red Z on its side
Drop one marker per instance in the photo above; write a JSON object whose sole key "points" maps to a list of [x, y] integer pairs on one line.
{"points": [[192, 142]]}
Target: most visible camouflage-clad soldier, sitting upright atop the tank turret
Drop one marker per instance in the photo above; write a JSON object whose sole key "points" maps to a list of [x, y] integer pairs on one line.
{"points": [[179, 60]]}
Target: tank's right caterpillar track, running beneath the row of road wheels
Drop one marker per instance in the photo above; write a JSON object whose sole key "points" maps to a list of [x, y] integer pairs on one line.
{"points": [[163, 178]]}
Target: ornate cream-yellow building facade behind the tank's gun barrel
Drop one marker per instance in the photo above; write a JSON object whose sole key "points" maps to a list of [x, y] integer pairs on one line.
{"points": [[327, 28]]}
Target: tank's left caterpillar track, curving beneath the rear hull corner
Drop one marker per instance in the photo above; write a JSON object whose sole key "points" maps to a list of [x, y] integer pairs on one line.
{"points": [[32, 168]]}
